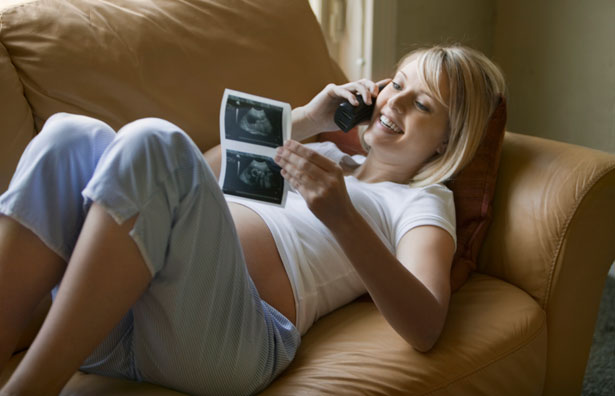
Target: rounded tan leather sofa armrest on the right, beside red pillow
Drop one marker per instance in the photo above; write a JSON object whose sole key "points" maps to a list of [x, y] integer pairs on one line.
{"points": [[552, 236]]}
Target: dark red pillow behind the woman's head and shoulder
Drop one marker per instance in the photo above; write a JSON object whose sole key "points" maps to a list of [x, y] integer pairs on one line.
{"points": [[473, 189]]}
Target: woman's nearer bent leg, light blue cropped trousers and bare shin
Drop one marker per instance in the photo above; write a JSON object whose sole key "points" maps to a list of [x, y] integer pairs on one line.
{"points": [[200, 325]]}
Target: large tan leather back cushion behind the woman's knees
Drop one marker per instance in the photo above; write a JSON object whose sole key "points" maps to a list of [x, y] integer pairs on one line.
{"points": [[120, 60]]}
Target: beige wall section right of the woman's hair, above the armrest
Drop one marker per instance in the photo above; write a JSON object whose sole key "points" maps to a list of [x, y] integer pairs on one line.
{"points": [[559, 59]]}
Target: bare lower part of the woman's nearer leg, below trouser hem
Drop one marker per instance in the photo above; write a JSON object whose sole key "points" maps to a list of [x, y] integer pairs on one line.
{"points": [[105, 276]]}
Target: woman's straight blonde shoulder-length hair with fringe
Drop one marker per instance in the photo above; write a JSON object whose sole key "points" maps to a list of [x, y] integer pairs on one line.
{"points": [[476, 86]]}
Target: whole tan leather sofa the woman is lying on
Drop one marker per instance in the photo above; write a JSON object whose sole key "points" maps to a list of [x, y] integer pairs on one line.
{"points": [[523, 322]]}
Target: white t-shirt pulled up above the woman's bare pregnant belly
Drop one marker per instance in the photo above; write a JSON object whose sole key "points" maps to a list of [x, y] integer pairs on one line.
{"points": [[321, 276]]}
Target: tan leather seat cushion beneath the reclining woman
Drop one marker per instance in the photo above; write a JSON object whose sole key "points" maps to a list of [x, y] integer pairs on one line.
{"points": [[494, 342]]}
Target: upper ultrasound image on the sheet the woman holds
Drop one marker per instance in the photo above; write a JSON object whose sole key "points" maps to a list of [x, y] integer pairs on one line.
{"points": [[253, 122]]}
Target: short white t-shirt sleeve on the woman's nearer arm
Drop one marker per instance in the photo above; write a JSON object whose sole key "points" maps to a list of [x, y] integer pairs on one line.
{"points": [[432, 205]]}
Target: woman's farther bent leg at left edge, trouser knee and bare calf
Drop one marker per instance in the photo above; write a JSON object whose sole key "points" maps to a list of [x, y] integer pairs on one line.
{"points": [[41, 215]]}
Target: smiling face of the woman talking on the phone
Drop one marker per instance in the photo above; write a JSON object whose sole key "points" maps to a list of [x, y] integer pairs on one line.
{"points": [[409, 125]]}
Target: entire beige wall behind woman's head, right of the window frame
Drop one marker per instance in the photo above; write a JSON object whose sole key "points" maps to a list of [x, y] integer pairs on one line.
{"points": [[558, 57]]}
